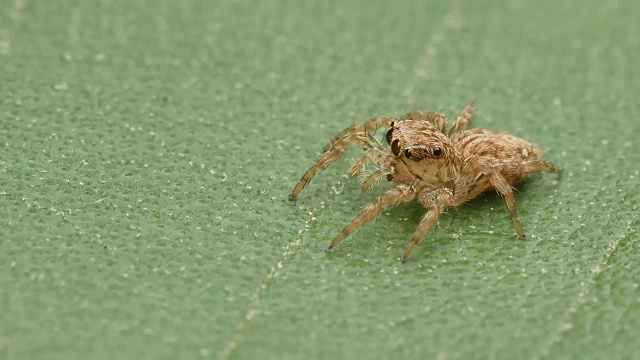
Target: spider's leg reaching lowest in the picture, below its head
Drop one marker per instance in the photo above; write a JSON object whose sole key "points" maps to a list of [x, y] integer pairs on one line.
{"points": [[437, 201]]}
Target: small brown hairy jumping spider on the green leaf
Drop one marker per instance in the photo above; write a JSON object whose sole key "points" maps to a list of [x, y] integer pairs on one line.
{"points": [[438, 168]]}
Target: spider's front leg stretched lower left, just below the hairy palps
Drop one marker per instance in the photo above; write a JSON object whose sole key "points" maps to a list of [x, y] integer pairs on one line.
{"points": [[399, 194]]}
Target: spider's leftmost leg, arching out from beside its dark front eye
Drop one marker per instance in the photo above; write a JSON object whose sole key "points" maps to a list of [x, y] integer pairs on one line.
{"points": [[358, 134]]}
